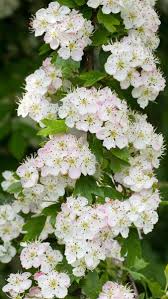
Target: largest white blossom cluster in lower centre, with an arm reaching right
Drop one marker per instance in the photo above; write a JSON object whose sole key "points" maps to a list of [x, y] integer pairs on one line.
{"points": [[88, 232]]}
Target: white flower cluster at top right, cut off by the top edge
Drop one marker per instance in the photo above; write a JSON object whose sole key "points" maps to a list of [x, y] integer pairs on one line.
{"points": [[139, 17]]}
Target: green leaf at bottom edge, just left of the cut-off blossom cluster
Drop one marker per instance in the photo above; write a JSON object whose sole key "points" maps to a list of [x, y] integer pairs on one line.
{"points": [[91, 285]]}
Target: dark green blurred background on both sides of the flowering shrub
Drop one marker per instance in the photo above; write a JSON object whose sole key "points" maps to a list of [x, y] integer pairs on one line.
{"points": [[19, 57]]}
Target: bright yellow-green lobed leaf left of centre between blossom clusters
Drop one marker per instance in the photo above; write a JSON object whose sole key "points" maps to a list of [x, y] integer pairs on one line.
{"points": [[53, 127]]}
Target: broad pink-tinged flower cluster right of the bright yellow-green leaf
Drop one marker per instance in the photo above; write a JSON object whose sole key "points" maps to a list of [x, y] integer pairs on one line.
{"points": [[97, 111]]}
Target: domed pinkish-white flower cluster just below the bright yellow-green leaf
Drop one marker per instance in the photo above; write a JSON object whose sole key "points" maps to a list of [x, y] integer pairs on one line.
{"points": [[66, 155]]}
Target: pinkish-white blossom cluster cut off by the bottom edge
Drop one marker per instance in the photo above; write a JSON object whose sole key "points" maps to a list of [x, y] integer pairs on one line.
{"points": [[113, 290]]}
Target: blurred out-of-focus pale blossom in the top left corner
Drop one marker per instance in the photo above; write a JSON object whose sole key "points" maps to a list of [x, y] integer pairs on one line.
{"points": [[7, 7]]}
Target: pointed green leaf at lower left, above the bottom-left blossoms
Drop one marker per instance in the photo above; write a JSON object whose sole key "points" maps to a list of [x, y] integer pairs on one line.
{"points": [[34, 227]]}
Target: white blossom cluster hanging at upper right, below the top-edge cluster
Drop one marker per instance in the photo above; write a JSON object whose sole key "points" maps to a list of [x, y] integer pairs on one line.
{"points": [[134, 65]]}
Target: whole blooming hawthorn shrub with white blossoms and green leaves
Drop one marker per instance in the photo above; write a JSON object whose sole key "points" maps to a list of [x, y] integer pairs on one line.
{"points": [[84, 201]]}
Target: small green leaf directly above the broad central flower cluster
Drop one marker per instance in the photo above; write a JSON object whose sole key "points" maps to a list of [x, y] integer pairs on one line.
{"points": [[90, 78]]}
